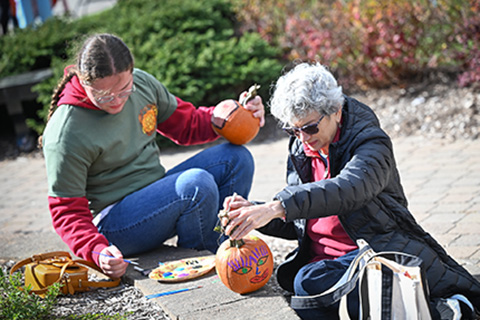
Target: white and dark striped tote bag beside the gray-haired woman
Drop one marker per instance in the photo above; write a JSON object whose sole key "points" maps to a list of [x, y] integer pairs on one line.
{"points": [[390, 286]]}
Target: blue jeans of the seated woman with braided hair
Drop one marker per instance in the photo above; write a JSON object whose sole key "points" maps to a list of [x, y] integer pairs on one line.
{"points": [[185, 202]]}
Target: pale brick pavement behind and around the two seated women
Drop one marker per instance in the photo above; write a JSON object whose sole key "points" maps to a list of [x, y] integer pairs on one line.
{"points": [[441, 180]]}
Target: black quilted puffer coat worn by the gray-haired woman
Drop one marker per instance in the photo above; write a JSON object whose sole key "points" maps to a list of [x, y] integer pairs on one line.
{"points": [[365, 192]]}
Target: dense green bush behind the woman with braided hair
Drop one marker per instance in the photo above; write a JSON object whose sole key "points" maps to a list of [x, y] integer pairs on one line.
{"points": [[193, 47]]}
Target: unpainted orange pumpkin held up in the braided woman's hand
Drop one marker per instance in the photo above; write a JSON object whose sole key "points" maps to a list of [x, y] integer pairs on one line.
{"points": [[235, 123]]}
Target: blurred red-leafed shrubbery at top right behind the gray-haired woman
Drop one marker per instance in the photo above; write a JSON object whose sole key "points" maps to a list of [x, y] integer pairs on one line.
{"points": [[371, 43]]}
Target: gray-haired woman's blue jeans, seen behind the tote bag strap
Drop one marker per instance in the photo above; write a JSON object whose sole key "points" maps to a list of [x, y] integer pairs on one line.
{"points": [[316, 277]]}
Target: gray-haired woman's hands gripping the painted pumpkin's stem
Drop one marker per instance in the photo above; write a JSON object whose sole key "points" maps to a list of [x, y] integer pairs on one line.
{"points": [[243, 217]]}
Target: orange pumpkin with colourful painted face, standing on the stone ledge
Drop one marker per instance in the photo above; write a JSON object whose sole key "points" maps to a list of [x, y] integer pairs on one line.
{"points": [[244, 265]]}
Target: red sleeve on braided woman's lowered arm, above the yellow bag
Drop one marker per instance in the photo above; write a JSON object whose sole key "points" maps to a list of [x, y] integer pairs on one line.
{"points": [[72, 221]]}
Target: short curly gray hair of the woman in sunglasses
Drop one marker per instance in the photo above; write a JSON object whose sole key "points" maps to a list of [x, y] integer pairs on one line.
{"points": [[304, 89]]}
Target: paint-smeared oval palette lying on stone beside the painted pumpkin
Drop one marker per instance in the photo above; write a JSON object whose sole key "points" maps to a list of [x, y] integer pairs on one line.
{"points": [[184, 269]]}
